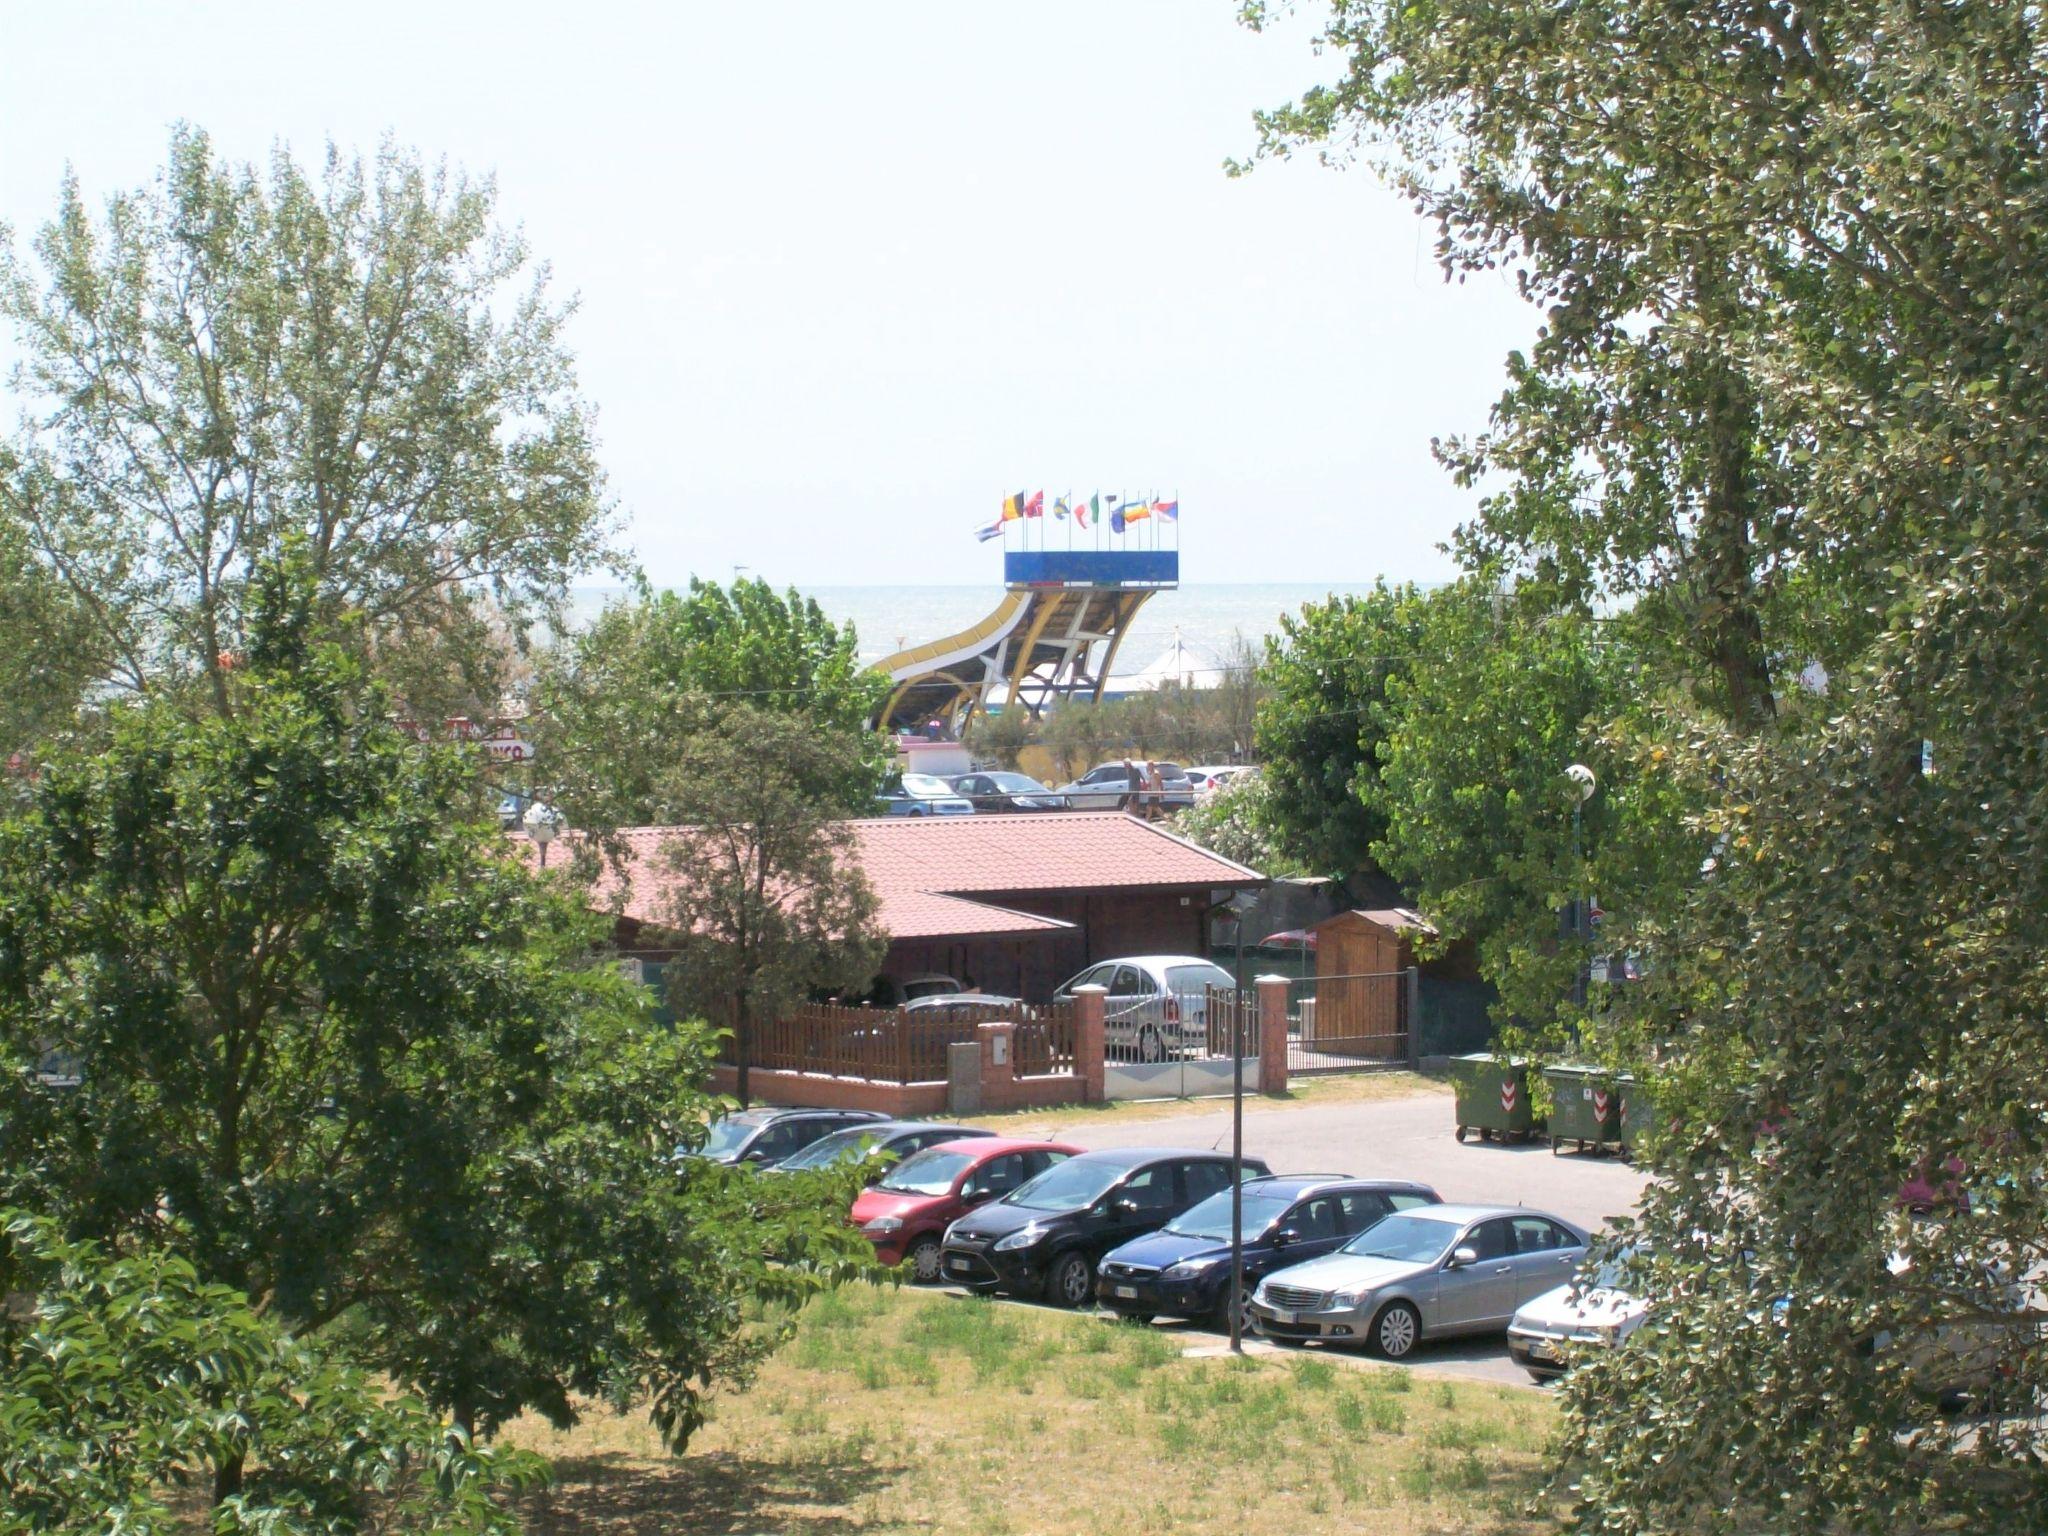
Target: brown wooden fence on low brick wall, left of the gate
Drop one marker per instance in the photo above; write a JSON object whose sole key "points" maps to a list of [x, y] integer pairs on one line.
{"points": [[906, 1046]]}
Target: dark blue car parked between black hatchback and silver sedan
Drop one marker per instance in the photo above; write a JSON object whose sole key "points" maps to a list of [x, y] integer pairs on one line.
{"points": [[1185, 1269]]}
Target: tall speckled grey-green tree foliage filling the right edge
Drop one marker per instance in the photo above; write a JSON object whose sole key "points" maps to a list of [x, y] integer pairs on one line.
{"points": [[1789, 402]]}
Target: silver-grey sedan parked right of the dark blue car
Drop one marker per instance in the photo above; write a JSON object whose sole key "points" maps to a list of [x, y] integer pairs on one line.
{"points": [[1422, 1275]]}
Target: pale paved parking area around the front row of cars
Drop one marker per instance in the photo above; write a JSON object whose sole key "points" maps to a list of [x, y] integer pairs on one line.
{"points": [[1404, 1138]]}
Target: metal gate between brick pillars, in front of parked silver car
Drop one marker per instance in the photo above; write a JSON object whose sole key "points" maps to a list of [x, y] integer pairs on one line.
{"points": [[1177, 1043]]}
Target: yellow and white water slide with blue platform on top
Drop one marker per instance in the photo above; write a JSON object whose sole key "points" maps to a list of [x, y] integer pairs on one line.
{"points": [[1054, 636]]}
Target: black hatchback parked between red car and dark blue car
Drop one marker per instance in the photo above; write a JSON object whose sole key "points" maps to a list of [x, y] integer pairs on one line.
{"points": [[1046, 1238]]}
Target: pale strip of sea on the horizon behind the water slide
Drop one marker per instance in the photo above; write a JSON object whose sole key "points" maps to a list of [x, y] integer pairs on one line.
{"points": [[1203, 620]]}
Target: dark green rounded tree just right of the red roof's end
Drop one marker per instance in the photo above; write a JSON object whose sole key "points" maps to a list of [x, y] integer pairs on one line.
{"points": [[1324, 687]]}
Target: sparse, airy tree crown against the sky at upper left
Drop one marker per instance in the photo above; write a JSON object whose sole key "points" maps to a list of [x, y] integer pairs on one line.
{"points": [[232, 359]]}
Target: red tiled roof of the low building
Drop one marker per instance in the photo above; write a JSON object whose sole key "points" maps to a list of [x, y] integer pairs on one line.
{"points": [[923, 867]]}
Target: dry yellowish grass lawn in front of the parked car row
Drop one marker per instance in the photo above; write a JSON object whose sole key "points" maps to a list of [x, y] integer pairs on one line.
{"points": [[898, 1412]]}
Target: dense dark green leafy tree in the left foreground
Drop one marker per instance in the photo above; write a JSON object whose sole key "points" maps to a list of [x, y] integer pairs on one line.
{"points": [[353, 1062]]}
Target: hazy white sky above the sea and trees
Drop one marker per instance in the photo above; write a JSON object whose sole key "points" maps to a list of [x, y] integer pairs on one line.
{"points": [[851, 273]]}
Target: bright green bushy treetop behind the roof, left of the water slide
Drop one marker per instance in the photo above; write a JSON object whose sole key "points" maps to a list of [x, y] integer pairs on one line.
{"points": [[617, 699]]}
